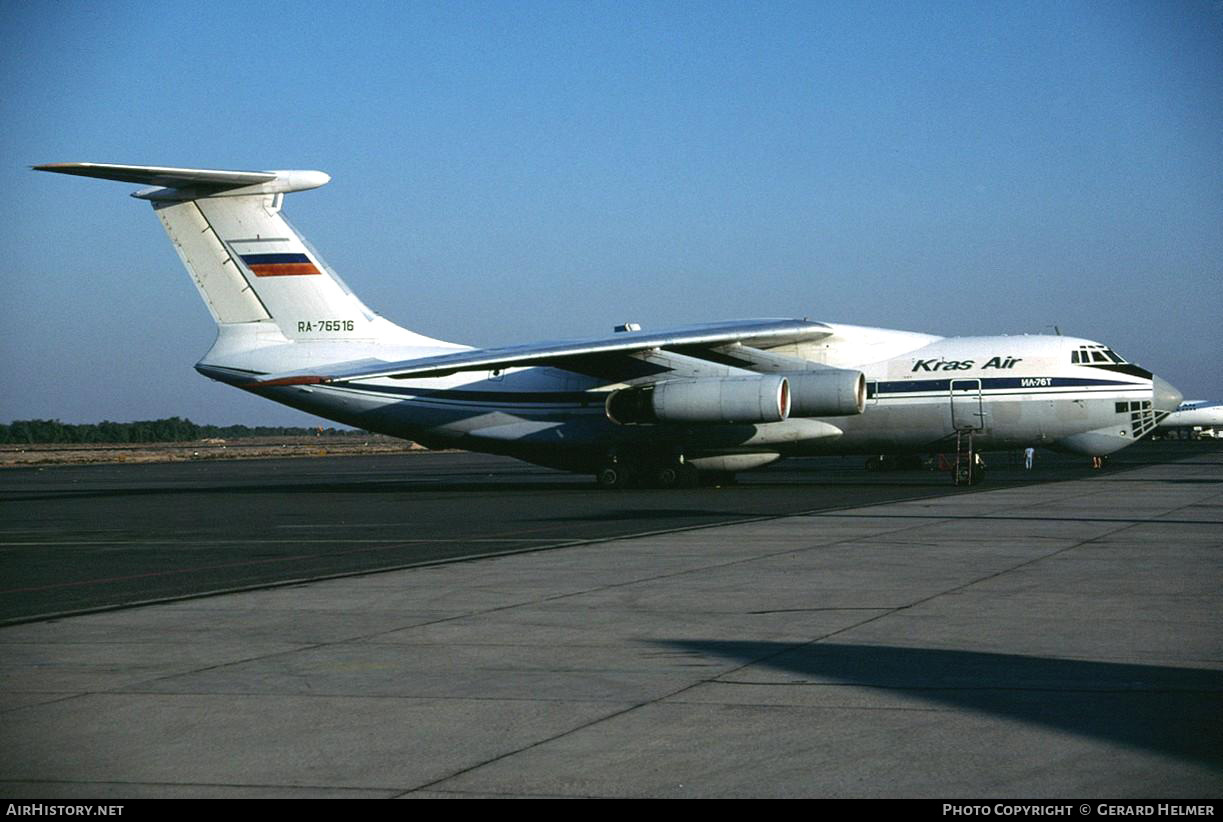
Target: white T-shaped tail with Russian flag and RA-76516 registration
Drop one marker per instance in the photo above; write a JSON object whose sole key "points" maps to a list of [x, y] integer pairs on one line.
{"points": [[248, 262]]}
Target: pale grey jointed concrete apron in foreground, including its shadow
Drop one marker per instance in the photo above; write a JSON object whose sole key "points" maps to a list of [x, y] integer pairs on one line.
{"points": [[1051, 640]]}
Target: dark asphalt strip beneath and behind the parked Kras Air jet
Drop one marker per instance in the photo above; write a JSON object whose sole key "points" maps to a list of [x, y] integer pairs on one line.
{"points": [[83, 539]]}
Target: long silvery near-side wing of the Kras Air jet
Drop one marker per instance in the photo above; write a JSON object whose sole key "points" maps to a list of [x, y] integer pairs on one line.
{"points": [[571, 354]]}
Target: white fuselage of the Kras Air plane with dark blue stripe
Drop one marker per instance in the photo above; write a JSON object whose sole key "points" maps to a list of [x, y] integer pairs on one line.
{"points": [[1012, 392]]}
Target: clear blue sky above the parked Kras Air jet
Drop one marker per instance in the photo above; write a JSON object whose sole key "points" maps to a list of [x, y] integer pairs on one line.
{"points": [[507, 172]]}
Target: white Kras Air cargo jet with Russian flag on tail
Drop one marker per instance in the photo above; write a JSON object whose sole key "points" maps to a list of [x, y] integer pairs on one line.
{"points": [[667, 408]]}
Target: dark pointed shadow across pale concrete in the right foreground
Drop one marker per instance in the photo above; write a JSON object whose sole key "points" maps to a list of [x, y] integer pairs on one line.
{"points": [[1170, 711]]}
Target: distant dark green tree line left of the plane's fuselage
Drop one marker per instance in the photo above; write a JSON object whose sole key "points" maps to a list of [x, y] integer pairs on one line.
{"points": [[172, 430]]}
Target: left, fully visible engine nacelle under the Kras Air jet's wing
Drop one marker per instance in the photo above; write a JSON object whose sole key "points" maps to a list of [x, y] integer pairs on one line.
{"points": [[734, 399]]}
